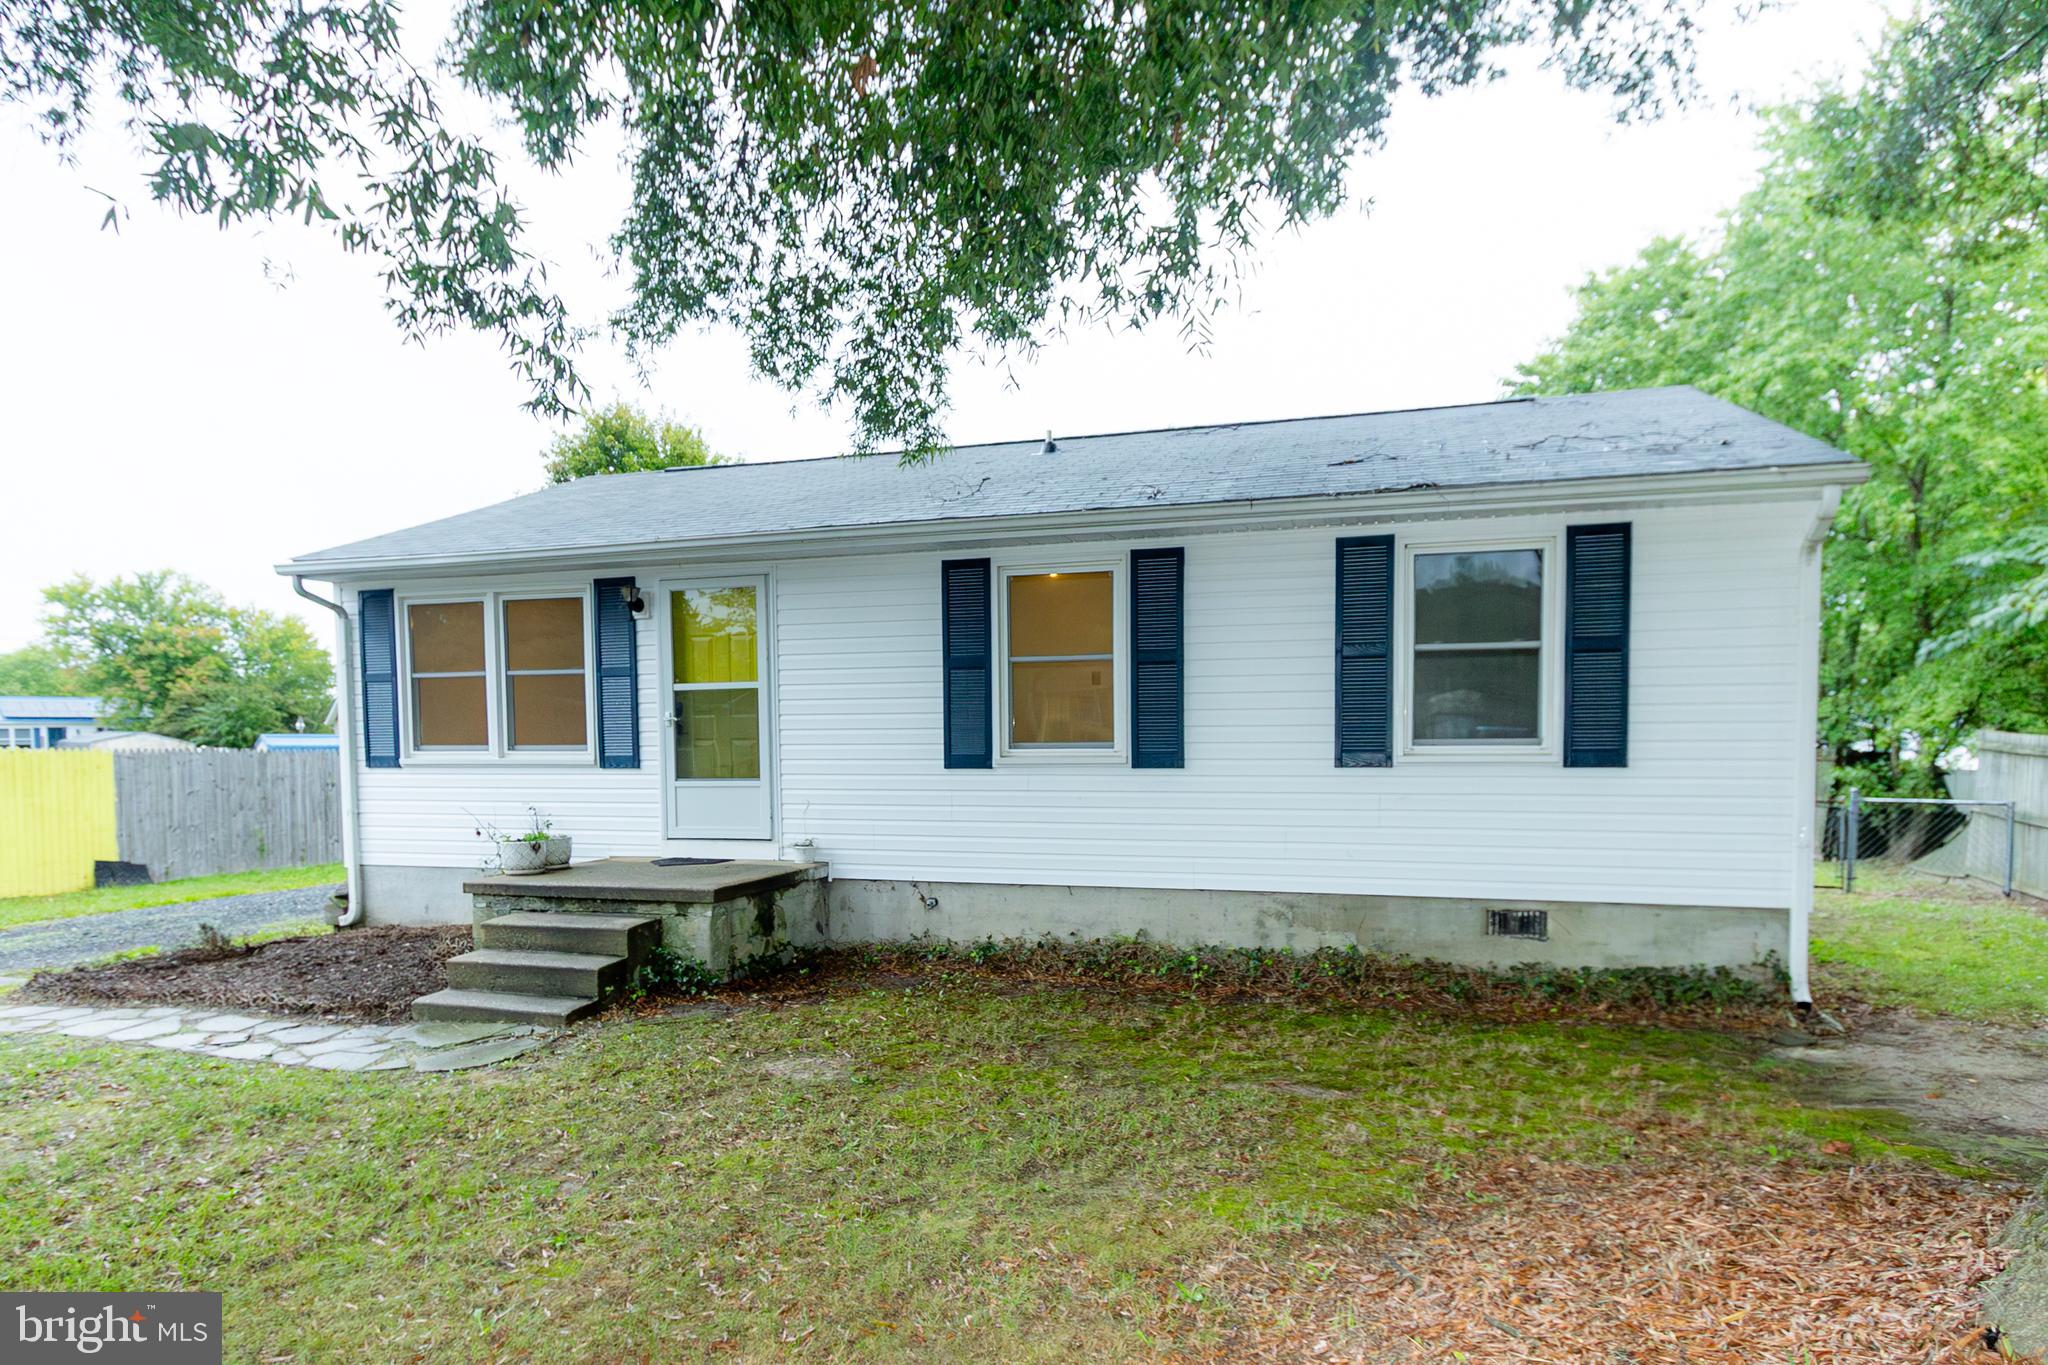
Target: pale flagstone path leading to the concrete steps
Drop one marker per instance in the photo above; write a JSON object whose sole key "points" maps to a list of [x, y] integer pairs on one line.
{"points": [[323, 1045]]}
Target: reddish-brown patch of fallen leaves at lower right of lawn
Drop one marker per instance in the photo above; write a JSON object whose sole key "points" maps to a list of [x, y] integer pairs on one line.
{"points": [[1680, 1262]]}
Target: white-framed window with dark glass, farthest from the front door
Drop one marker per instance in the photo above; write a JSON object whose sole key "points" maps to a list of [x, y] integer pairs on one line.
{"points": [[1480, 650]]}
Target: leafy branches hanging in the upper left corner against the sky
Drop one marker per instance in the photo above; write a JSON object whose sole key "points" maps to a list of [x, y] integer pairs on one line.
{"points": [[251, 112]]}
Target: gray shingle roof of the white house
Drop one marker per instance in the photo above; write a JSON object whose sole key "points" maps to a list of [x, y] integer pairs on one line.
{"points": [[1512, 443]]}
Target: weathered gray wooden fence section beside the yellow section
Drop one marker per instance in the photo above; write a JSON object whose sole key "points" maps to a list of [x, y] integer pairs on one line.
{"points": [[204, 811]]}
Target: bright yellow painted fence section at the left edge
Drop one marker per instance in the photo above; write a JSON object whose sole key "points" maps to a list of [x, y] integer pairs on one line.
{"points": [[56, 820]]}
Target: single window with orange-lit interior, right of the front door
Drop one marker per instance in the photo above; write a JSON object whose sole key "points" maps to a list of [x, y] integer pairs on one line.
{"points": [[1062, 664]]}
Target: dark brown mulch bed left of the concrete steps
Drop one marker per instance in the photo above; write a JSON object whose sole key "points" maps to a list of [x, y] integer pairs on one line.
{"points": [[366, 973]]}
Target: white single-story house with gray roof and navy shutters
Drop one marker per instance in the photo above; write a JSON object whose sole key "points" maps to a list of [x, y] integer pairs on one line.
{"points": [[1428, 682]]}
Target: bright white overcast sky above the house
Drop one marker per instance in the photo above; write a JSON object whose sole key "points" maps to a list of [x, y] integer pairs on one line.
{"points": [[216, 402]]}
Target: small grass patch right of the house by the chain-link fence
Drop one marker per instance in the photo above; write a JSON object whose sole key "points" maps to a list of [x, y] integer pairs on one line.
{"points": [[1938, 949]]}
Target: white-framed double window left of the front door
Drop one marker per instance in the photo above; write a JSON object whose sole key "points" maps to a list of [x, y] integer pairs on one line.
{"points": [[499, 674]]}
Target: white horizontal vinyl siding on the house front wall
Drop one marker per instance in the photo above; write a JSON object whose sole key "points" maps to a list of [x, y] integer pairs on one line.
{"points": [[1699, 818]]}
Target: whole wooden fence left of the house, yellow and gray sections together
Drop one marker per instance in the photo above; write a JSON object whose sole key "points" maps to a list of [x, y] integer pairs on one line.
{"points": [[179, 813]]}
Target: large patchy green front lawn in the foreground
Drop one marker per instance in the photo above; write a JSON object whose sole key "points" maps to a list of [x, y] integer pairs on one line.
{"points": [[941, 1172]]}
